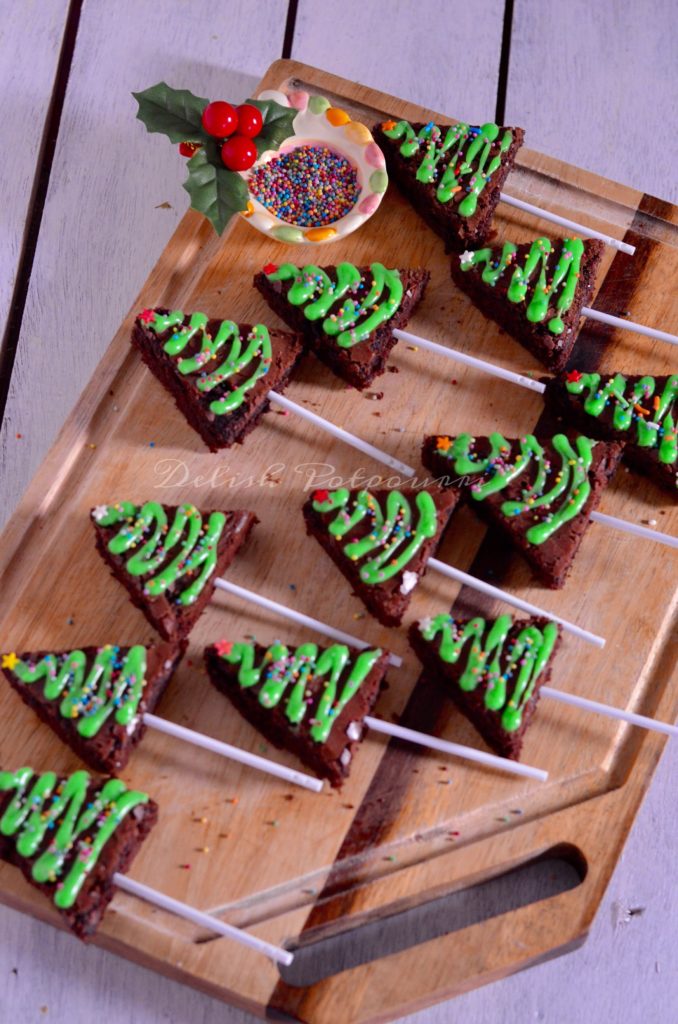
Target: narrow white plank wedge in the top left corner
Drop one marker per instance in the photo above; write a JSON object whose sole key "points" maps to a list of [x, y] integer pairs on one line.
{"points": [[26, 89]]}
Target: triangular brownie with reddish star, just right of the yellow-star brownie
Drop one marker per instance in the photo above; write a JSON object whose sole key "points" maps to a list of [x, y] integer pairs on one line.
{"points": [[309, 700]]}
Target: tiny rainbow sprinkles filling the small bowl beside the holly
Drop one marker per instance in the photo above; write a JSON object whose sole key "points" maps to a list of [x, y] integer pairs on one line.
{"points": [[310, 187]]}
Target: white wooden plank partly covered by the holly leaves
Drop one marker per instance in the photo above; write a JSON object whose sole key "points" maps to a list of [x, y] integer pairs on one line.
{"points": [[104, 225]]}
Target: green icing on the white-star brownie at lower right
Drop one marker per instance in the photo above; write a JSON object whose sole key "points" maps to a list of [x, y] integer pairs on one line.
{"points": [[512, 673]]}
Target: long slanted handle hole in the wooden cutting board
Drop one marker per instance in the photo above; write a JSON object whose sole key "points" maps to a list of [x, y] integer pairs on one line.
{"points": [[560, 870]]}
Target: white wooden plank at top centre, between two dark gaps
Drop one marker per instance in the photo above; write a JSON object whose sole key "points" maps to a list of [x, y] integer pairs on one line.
{"points": [[443, 56]]}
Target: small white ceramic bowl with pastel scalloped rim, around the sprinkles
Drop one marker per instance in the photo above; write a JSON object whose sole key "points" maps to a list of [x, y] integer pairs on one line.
{"points": [[319, 122]]}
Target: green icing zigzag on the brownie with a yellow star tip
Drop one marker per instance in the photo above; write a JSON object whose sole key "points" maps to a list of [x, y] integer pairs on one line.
{"points": [[112, 686]]}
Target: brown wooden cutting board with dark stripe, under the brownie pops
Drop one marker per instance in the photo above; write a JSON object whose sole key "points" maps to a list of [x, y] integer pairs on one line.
{"points": [[294, 868]]}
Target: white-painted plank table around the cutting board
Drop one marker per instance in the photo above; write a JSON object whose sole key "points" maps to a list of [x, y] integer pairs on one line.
{"points": [[90, 202]]}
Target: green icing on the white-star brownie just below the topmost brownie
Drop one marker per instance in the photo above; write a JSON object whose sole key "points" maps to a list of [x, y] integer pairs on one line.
{"points": [[544, 293]]}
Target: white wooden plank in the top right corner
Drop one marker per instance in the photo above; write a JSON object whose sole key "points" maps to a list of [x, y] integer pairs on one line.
{"points": [[595, 84]]}
